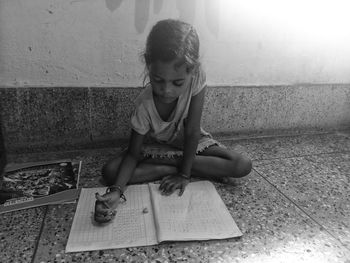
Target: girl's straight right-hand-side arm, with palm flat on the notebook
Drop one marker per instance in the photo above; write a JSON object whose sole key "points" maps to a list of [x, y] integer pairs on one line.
{"points": [[192, 132]]}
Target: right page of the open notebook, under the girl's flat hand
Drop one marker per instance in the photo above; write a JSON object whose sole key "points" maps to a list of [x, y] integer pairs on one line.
{"points": [[199, 214]]}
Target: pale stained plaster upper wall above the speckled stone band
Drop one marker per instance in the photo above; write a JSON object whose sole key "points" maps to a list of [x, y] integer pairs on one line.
{"points": [[98, 42]]}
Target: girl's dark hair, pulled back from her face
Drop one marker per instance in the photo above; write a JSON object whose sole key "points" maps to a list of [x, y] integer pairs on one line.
{"points": [[173, 39]]}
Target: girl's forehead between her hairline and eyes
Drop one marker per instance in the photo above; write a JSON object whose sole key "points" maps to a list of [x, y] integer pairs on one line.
{"points": [[169, 70]]}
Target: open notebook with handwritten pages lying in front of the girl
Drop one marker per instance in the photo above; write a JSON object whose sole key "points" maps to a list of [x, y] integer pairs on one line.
{"points": [[199, 214]]}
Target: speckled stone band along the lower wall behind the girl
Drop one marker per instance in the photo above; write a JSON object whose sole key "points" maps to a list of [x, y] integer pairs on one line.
{"points": [[70, 118]]}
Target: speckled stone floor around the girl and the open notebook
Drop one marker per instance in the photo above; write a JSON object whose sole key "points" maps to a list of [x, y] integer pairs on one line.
{"points": [[293, 207]]}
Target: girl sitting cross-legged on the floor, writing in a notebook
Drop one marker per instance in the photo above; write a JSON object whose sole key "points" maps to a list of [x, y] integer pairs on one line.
{"points": [[167, 141]]}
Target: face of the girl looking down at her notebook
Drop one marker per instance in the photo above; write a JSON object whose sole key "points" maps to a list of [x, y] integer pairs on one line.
{"points": [[168, 81]]}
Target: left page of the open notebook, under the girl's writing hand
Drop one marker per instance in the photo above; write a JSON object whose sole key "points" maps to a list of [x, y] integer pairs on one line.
{"points": [[131, 227]]}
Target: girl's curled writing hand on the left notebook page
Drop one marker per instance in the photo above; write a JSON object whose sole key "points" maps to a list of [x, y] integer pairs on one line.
{"points": [[105, 206]]}
